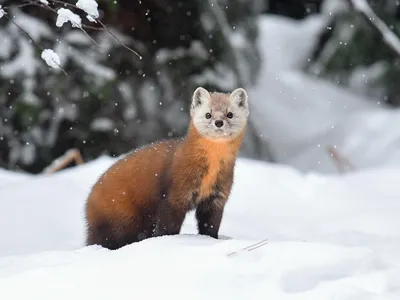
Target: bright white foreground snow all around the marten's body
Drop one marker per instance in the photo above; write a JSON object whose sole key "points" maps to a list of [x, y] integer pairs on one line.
{"points": [[329, 237]]}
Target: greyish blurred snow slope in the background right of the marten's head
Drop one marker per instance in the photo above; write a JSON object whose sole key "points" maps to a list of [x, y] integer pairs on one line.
{"points": [[300, 115]]}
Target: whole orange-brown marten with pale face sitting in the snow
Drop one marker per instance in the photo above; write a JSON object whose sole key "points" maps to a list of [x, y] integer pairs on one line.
{"points": [[148, 192]]}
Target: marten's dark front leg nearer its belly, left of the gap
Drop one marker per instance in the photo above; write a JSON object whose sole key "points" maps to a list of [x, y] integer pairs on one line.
{"points": [[169, 218]]}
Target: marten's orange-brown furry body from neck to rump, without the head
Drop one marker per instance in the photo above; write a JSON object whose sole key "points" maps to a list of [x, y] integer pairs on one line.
{"points": [[124, 204]]}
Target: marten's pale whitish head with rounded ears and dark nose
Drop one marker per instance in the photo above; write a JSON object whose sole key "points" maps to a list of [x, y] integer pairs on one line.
{"points": [[219, 115]]}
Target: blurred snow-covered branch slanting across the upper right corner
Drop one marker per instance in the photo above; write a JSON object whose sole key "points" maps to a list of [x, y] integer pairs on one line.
{"points": [[388, 36]]}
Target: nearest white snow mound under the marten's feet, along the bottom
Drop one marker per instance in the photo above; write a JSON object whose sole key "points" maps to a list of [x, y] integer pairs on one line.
{"points": [[198, 266]]}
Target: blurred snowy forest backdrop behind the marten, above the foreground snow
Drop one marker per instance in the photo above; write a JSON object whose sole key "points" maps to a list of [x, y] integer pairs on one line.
{"points": [[111, 101]]}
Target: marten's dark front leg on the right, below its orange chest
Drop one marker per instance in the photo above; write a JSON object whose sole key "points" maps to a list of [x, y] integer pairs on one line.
{"points": [[209, 216]]}
